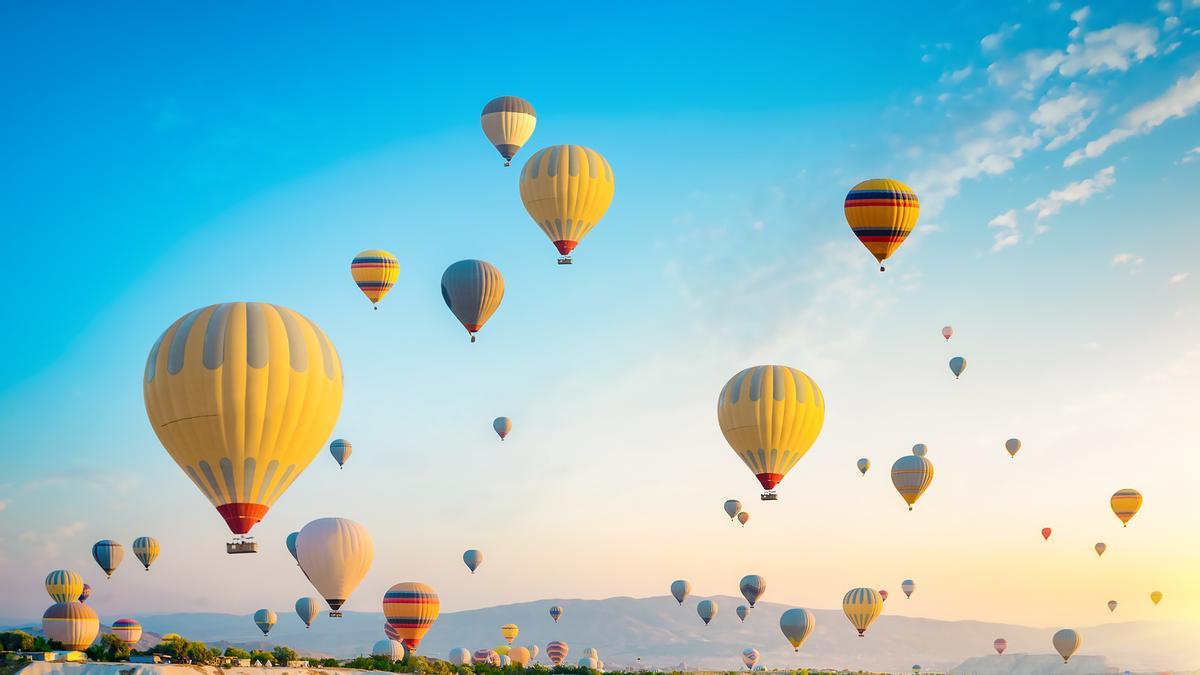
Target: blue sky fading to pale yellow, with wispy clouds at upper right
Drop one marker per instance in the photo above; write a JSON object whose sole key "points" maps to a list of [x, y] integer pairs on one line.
{"points": [[165, 159]]}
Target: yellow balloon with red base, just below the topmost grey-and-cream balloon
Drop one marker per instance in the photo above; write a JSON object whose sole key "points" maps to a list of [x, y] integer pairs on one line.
{"points": [[567, 190]]}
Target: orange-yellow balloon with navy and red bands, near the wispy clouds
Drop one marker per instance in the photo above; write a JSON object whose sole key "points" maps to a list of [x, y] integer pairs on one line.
{"points": [[883, 213]]}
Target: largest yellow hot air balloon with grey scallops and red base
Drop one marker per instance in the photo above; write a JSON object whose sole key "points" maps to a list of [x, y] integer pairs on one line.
{"points": [[243, 396]]}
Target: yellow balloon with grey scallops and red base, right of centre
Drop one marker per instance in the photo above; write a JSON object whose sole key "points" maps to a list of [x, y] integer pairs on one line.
{"points": [[771, 416]]}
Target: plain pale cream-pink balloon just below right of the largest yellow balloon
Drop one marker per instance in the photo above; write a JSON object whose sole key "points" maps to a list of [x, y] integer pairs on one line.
{"points": [[335, 554]]}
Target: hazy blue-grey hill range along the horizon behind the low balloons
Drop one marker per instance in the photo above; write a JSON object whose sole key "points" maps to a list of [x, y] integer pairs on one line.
{"points": [[665, 636]]}
